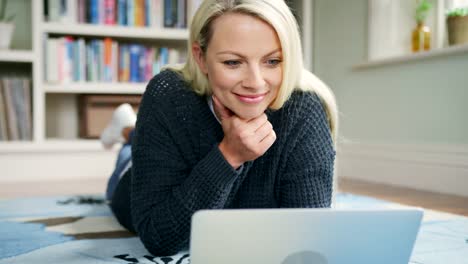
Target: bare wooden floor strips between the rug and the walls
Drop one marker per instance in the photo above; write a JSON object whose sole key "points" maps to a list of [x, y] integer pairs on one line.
{"points": [[436, 201]]}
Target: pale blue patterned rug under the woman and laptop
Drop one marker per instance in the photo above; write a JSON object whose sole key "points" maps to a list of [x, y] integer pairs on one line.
{"points": [[81, 229]]}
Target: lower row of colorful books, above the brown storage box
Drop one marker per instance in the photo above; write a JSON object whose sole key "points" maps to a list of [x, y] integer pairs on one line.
{"points": [[104, 60]]}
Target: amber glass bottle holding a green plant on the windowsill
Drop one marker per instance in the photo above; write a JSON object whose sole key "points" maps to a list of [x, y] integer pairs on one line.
{"points": [[421, 37]]}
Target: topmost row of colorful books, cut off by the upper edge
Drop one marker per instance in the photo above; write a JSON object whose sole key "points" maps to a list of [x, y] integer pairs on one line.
{"points": [[140, 13]]}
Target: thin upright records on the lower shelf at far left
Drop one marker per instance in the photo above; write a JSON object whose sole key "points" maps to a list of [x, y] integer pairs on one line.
{"points": [[15, 109]]}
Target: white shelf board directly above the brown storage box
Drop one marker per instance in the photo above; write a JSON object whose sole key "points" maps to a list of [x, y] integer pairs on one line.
{"points": [[95, 88]]}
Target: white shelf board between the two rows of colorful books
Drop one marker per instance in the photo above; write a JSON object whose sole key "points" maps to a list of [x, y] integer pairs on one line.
{"points": [[115, 31]]}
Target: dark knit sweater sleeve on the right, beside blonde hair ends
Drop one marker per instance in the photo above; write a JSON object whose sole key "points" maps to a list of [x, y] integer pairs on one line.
{"points": [[307, 181]]}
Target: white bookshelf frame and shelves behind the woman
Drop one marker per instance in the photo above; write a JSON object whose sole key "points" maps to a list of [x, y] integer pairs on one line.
{"points": [[51, 97]]}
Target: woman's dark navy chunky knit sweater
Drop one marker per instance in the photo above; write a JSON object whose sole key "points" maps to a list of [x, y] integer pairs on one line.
{"points": [[179, 169]]}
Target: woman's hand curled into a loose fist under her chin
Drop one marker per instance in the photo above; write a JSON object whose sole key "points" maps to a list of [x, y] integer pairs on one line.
{"points": [[244, 140]]}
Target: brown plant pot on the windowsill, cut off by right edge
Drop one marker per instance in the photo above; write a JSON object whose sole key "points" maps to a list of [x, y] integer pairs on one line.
{"points": [[457, 26]]}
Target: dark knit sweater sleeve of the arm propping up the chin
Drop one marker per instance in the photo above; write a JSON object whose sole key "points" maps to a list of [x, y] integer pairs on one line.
{"points": [[165, 189]]}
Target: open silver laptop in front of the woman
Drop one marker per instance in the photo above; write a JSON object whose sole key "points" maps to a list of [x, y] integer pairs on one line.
{"points": [[304, 236]]}
